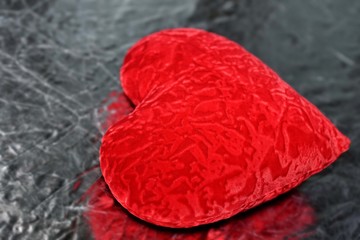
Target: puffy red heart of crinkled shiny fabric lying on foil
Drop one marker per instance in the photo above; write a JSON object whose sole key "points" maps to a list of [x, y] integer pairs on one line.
{"points": [[215, 132]]}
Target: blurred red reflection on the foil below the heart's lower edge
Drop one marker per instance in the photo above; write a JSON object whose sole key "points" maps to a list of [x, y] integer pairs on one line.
{"points": [[287, 217]]}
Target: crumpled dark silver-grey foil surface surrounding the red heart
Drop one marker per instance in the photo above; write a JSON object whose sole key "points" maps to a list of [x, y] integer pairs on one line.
{"points": [[59, 63]]}
